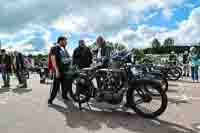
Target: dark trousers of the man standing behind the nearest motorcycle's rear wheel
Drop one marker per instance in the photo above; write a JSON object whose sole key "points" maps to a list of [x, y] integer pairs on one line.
{"points": [[66, 85]]}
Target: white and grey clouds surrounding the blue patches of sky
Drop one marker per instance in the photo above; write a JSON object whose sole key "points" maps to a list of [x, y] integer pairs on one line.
{"points": [[27, 17]]}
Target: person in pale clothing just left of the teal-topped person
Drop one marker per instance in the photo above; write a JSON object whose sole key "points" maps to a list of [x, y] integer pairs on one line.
{"points": [[186, 69]]}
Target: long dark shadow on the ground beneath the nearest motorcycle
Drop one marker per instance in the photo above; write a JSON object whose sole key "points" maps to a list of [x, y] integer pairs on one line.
{"points": [[96, 120]]}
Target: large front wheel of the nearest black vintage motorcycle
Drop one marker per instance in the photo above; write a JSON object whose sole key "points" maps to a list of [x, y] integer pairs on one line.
{"points": [[147, 98]]}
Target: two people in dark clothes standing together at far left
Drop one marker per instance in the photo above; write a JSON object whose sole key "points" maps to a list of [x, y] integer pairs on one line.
{"points": [[13, 63]]}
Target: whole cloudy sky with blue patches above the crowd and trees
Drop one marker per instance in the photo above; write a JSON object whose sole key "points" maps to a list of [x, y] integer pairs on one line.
{"points": [[32, 26]]}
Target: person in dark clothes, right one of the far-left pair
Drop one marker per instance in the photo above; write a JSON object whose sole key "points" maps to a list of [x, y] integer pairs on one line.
{"points": [[20, 68]]}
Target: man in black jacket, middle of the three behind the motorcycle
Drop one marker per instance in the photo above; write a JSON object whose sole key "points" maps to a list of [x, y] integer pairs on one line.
{"points": [[82, 56]]}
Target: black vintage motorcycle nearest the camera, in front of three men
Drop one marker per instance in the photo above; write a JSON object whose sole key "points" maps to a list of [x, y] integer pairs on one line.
{"points": [[144, 96]]}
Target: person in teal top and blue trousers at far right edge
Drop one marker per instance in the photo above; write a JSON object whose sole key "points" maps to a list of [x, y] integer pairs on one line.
{"points": [[194, 64]]}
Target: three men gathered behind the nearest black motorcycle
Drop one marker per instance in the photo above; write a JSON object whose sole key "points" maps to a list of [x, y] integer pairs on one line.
{"points": [[61, 61]]}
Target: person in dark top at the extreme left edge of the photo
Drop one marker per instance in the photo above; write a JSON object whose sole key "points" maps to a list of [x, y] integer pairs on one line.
{"points": [[5, 62]]}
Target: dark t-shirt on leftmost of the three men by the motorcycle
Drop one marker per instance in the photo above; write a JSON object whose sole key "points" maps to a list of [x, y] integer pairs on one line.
{"points": [[62, 58]]}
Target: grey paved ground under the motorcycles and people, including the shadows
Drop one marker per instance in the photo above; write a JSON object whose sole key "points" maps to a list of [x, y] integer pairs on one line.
{"points": [[26, 111]]}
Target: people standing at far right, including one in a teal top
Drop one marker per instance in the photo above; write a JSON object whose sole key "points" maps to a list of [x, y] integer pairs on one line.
{"points": [[190, 61]]}
